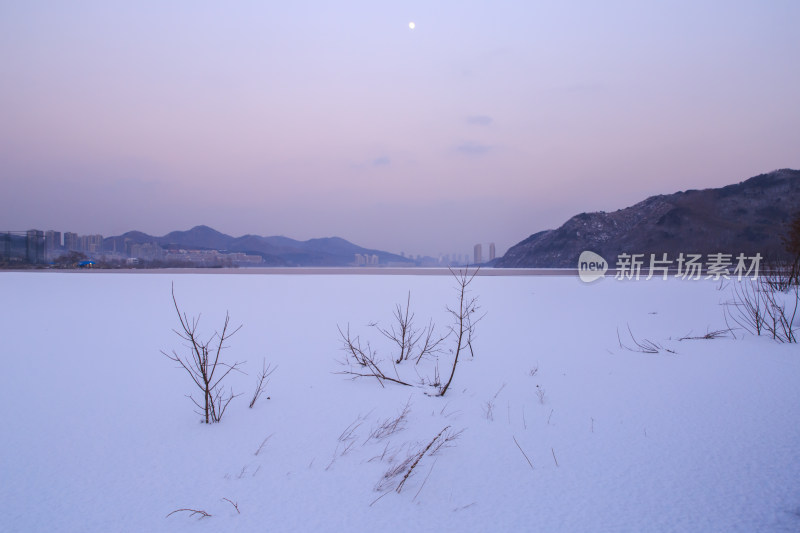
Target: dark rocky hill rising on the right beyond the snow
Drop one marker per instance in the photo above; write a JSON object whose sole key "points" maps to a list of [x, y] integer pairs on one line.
{"points": [[748, 217]]}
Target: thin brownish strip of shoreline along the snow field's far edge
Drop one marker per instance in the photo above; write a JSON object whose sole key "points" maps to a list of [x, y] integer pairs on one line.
{"points": [[350, 271]]}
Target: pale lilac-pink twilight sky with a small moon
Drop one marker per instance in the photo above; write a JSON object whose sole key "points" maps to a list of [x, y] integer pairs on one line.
{"points": [[487, 122]]}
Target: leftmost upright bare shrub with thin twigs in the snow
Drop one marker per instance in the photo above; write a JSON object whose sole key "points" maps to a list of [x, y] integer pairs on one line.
{"points": [[203, 364]]}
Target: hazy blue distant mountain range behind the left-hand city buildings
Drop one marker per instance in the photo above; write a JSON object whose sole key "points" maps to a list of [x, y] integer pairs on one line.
{"points": [[276, 251]]}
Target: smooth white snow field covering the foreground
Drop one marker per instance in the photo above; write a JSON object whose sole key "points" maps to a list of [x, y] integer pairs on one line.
{"points": [[98, 436]]}
